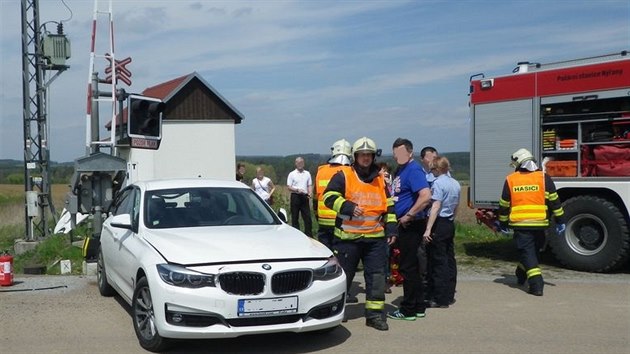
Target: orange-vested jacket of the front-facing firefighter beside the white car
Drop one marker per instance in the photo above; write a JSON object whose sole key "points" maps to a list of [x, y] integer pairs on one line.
{"points": [[347, 190]]}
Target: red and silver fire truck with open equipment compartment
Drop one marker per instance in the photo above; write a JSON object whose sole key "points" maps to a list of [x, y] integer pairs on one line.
{"points": [[574, 116]]}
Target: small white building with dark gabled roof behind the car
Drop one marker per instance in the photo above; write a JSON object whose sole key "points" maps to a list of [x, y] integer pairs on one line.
{"points": [[198, 137]]}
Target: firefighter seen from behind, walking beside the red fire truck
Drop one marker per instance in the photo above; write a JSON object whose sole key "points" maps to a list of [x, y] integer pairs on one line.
{"points": [[528, 200]]}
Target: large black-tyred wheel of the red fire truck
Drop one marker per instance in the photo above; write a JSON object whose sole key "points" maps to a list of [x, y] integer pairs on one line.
{"points": [[596, 238]]}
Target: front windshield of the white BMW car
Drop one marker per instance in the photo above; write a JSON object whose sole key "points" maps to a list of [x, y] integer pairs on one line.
{"points": [[193, 207]]}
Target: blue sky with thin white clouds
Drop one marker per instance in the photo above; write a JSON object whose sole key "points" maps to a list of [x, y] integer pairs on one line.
{"points": [[307, 73]]}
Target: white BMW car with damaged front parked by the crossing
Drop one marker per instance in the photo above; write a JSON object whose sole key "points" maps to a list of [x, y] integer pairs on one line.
{"points": [[209, 259]]}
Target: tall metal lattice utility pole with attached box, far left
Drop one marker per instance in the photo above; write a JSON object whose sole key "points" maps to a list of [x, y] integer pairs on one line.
{"points": [[41, 52]]}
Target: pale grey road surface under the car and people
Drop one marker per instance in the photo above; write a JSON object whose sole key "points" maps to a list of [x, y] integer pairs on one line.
{"points": [[582, 313]]}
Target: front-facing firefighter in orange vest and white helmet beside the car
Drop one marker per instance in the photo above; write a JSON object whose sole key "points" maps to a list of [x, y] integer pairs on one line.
{"points": [[364, 226]]}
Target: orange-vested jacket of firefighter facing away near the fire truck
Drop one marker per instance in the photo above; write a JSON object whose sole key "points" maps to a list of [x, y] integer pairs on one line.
{"points": [[527, 199]]}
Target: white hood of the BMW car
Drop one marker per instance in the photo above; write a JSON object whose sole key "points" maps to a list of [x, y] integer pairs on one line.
{"points": [[218, 244]]}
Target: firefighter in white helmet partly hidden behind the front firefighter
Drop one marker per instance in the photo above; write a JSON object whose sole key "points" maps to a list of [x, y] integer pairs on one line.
{"points": [[341, 154]]}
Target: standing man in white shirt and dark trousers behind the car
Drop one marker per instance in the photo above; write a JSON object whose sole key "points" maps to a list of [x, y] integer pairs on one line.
{"points": [[300, 186]]}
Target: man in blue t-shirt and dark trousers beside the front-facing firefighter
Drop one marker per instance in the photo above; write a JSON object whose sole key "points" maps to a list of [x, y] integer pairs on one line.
{"points": [[412, 195]]}
